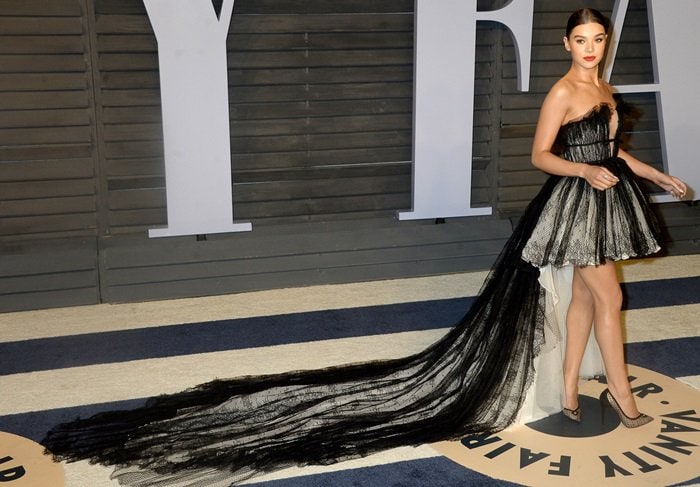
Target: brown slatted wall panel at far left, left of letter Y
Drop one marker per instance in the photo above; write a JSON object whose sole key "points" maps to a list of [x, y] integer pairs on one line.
{"points": [[48, 223]]}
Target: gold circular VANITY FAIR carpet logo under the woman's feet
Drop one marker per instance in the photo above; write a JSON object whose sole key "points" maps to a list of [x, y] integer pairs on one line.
{"points": [[600, 450]]}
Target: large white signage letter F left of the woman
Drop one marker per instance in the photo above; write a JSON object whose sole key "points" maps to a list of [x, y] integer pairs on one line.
{"points": [[443, 113]]}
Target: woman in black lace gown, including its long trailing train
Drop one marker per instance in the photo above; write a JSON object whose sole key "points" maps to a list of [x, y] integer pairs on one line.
{"points": [[480, 377]]}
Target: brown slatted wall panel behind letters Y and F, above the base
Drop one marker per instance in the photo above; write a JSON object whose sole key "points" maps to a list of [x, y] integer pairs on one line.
{"points": [[321, 100]]}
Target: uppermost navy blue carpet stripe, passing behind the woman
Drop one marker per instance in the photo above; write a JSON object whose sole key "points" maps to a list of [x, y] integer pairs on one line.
{"points": [[215, 336]]}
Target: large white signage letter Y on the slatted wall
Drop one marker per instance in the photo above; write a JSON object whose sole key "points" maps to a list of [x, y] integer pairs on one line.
{"points": [[196, 134]]}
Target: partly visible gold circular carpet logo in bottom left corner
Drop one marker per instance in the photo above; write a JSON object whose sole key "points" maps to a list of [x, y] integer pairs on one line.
{"points": [[24, 464]]}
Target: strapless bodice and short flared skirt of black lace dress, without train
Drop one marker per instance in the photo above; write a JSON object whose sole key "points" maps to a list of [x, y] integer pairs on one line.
{"points": [[581, 225]]}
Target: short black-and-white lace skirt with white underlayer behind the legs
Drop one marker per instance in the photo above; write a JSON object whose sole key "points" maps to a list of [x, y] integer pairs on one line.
{"points": [[578, 225]]}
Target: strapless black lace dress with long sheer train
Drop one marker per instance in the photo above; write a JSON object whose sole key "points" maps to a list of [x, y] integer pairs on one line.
{"points": [[475, 379]]}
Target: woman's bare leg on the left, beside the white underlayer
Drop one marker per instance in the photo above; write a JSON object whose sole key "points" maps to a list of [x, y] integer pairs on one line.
{"points": [[579, 319]]}
